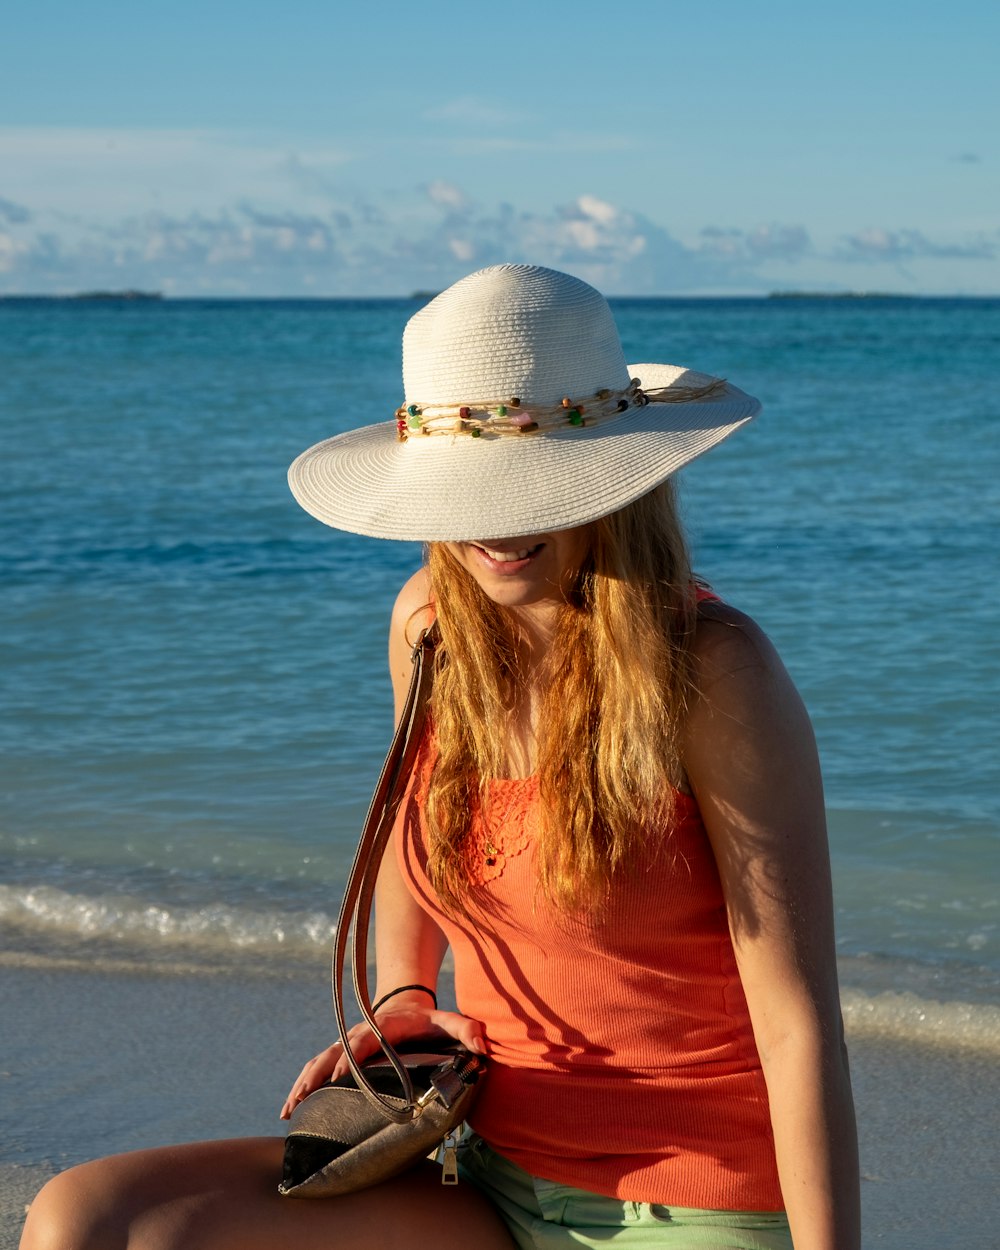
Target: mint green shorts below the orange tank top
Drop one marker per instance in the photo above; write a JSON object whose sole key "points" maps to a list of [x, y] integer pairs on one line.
{"points": [[547, 1216]]}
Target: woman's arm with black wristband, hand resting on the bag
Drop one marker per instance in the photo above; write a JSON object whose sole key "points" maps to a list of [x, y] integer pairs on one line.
{"points": [[409, 944]]}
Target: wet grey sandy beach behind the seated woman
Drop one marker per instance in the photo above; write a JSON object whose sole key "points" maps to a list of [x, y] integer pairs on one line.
{"points": [[111, 1059]]}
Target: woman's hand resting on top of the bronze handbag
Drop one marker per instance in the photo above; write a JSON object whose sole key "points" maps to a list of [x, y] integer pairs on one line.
{"points": [[401, 1019]]}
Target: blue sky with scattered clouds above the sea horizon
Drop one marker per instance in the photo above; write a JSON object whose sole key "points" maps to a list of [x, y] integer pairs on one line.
{"points": [[373, 149]]}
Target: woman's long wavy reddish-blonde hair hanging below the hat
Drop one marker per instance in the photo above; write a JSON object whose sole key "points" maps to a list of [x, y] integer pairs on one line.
{"points": [[613, 693]]}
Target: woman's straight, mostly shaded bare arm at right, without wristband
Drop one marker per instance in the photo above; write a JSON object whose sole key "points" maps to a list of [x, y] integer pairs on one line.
{"points": [[752, 763]]}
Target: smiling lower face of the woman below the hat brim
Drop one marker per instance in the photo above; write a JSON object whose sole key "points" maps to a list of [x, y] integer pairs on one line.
{"points": [[526, 572]]}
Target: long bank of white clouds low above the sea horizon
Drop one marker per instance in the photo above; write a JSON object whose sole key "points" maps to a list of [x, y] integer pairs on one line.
{"points": [[427, 238]]}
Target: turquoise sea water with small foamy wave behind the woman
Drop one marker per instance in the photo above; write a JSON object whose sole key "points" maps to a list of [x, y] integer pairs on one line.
{"points": [[194, 697]]}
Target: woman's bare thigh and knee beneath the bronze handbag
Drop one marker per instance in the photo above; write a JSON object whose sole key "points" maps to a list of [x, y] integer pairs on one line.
{"points": [[223, 1196]]}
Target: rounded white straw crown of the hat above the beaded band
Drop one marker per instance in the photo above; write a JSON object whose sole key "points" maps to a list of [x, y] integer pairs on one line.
{"points": [[513, 331]]}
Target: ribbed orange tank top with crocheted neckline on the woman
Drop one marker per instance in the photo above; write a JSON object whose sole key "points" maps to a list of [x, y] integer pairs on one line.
{"points": [[623, 1061]]}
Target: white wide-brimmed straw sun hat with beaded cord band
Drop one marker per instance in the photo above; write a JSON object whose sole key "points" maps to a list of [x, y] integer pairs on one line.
{"points": [[521, 417]]}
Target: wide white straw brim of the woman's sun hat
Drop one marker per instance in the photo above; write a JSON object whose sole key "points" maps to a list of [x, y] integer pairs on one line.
{"points": [[452, 489]]}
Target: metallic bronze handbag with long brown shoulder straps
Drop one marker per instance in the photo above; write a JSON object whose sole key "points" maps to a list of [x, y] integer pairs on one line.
{"points": [[398, 1107]]}
